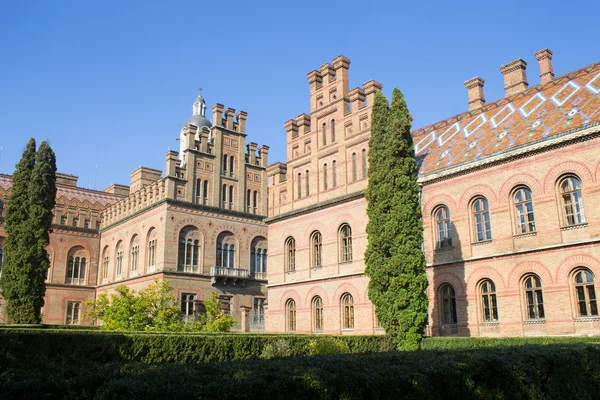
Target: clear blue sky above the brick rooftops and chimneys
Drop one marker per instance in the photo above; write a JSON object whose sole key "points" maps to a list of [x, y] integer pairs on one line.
{"points": [[111, 82]]}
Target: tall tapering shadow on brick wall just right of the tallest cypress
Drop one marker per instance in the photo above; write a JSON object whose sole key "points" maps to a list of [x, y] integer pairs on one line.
{"points": [[449, 316]]}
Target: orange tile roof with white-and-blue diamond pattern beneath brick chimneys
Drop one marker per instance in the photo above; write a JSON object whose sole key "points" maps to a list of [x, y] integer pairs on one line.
{"points": [[541, 112]]}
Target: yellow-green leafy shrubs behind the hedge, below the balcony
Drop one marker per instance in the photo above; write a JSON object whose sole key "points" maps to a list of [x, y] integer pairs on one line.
{"points": [[153, 309]]}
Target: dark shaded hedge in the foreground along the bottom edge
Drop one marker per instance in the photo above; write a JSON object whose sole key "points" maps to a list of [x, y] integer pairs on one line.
{"points": [[526, 372]]}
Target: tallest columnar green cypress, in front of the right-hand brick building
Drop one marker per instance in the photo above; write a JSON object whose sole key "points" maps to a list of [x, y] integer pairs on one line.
{"points": [[394, 259]]}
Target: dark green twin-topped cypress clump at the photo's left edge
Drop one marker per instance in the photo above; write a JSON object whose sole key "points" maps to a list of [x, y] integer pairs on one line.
{"points": [[27, 225]]}
